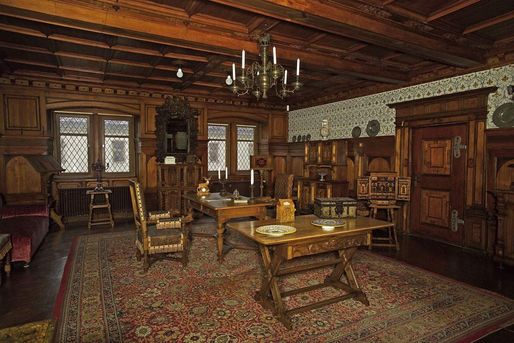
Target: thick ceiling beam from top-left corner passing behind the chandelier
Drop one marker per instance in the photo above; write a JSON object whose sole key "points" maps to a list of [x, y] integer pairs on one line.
{"points": [[144, 27]]}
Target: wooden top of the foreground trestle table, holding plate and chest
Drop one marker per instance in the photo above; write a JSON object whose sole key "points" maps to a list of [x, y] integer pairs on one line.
{"points": [[305, 230]]}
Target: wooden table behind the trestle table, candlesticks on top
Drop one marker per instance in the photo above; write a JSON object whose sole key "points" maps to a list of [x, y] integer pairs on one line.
{"points": [[224, 209]]}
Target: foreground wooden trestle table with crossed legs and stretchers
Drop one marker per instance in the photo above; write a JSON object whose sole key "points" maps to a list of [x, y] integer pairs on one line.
{"points": [[308, 240]]}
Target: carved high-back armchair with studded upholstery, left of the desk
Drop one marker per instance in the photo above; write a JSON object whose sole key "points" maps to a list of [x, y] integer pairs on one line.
{"points": [[157, 233]]}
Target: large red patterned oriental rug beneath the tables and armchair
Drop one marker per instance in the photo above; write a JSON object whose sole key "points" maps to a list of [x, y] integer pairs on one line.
{"points": [[106, 297]]}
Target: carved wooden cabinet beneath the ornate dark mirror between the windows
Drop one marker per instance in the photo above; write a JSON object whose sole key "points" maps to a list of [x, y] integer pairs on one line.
{"points": [[175, 180]]}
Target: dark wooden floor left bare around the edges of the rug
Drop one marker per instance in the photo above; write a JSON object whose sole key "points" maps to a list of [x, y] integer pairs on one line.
{"points": [[29, 293]]}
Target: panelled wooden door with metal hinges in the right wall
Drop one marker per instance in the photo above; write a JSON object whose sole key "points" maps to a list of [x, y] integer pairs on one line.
{"points": [[438, 180]]}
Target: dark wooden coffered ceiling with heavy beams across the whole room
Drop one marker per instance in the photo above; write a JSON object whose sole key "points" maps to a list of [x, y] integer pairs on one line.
{"points": [[347, 47]]}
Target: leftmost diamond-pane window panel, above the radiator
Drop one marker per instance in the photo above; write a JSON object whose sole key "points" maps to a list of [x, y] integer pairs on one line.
{"points": [[74, 146]]}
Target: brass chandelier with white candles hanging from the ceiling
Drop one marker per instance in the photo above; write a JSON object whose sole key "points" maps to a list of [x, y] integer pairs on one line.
{"points": [[258, 77]]}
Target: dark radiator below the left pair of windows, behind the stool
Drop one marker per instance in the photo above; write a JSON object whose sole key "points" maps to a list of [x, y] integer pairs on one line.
{"points": [[75, 201]]}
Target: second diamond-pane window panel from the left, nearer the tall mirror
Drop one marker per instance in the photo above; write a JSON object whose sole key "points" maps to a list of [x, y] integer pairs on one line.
{"points": [[116, 145]]}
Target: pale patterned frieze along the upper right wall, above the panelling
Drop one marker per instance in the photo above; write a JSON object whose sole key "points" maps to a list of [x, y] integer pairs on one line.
{"points": [[344, 115]]}
